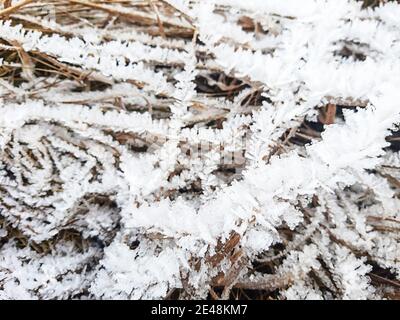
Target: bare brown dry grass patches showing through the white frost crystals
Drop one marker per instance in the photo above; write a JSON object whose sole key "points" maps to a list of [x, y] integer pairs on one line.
{"points": [[155, 18]]}
